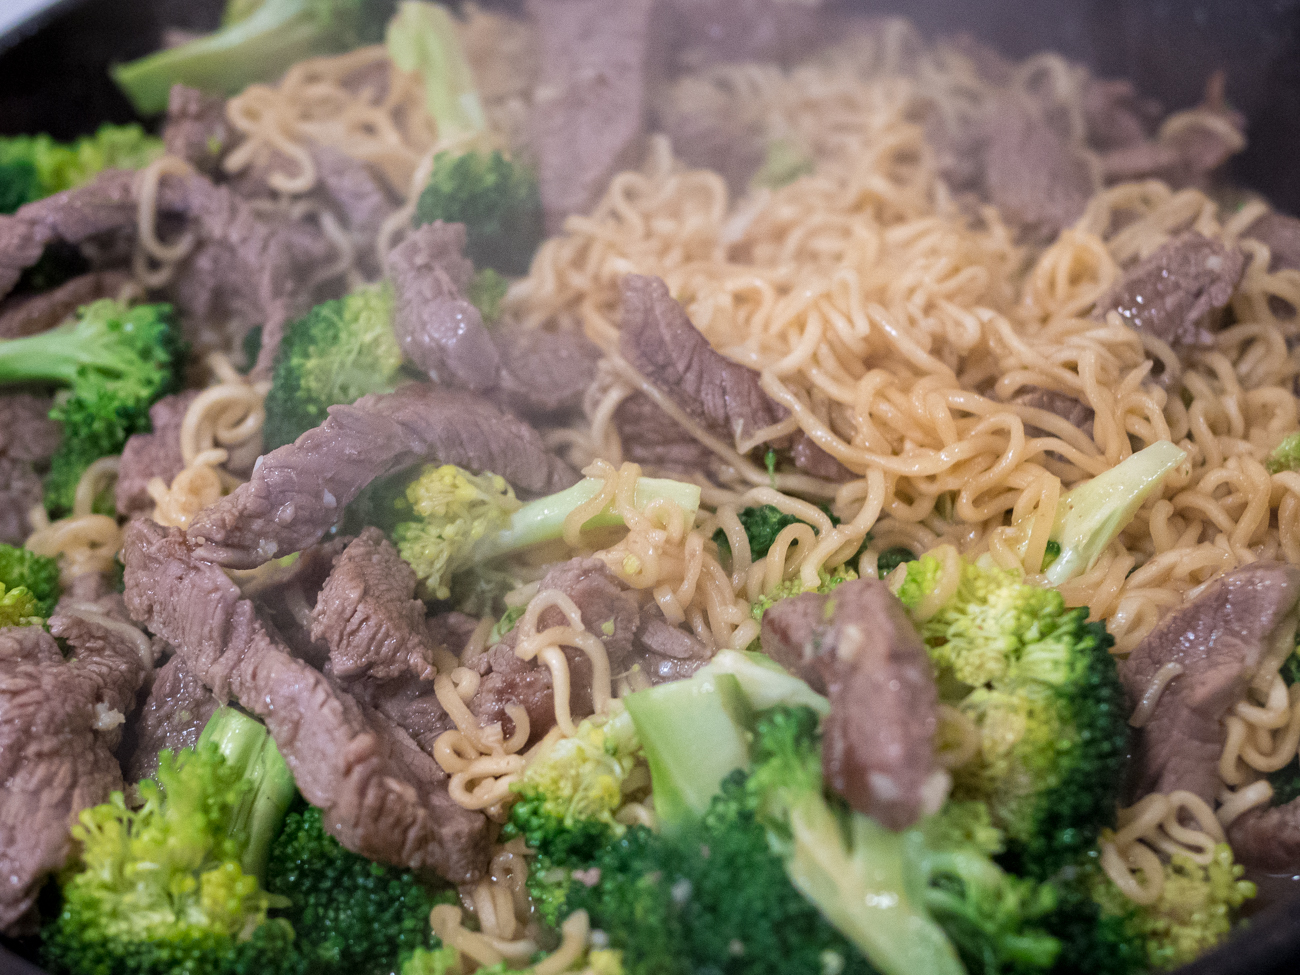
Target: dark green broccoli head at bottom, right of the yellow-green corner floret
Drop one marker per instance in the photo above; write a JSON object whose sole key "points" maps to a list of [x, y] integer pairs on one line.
{"points": [[352, 917]]}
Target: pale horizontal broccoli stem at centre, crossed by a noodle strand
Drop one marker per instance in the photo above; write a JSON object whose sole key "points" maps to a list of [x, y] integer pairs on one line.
{"points": [[543, 521]]}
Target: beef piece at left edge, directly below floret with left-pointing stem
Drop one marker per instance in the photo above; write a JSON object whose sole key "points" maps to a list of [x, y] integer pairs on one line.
{"points": [[28, 440]]}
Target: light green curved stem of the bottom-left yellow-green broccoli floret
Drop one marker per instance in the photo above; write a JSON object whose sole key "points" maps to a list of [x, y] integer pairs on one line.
{"points": [[249, 748]]}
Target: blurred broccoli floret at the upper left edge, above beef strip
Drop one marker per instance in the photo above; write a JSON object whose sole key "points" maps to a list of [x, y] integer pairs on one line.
{"points": [[33, 167]]}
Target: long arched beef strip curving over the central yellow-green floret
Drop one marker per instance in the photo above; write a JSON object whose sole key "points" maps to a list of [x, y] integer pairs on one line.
{"points": [[300, 491]]}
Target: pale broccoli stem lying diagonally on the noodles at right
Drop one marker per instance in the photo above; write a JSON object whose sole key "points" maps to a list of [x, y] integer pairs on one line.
{"points": [[1097, 512]]}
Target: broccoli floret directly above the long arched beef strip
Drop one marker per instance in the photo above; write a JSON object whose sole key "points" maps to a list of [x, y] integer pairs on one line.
{"points": [[337, 353]]}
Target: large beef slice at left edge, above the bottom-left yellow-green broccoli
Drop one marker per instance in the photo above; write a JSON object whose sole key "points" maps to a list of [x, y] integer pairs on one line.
{"points": [[57, 747]]}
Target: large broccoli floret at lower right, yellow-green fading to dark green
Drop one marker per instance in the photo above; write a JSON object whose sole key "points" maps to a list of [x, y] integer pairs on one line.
{"points": [[1042, 688]]}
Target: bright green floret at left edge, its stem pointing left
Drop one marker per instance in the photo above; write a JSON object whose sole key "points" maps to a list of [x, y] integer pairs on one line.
{"points": [[116, 362]]}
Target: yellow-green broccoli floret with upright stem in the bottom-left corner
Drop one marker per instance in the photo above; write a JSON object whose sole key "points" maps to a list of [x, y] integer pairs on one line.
{"points": [[174, 886]]}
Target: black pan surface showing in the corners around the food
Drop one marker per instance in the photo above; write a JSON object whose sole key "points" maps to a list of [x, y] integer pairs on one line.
{"points": [[53, 79]]}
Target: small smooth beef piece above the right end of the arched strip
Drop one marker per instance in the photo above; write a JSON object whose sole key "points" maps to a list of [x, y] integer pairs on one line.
{"points": [[544, 375]]}
